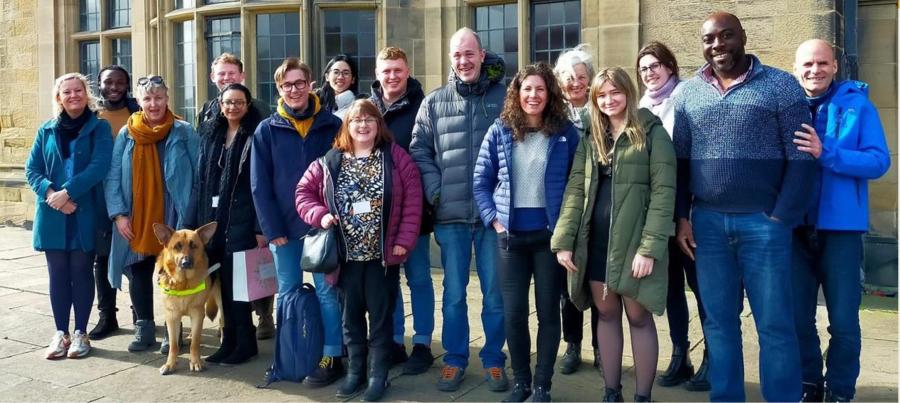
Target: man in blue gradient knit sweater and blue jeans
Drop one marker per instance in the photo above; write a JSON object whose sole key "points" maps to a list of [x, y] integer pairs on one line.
{"points": [[742, 186]]}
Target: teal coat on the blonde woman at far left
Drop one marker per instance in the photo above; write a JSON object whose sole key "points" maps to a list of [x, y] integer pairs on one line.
{"points": [[45, 169]]}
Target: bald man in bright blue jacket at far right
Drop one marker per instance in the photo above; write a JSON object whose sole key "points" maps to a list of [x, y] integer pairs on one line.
{"points": [[848, 141]]}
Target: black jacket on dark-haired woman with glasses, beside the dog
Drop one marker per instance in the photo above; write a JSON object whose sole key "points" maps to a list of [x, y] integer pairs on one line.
{"points": [[236, 213]]}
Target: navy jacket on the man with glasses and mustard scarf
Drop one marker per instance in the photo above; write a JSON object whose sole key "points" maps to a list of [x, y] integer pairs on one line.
{"points": [[278, 159]]}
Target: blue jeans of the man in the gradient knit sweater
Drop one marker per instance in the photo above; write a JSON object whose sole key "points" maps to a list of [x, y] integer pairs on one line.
{"points": [[752, 247]]}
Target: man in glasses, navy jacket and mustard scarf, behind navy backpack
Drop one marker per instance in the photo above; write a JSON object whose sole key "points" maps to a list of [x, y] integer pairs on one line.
{"points": [[284, 144]]}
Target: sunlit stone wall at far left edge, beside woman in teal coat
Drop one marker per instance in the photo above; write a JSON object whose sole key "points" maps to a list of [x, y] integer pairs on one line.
{"points": [[19, 104]]}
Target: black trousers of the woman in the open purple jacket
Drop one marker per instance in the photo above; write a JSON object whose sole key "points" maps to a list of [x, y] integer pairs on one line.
{"points": [[369, 287]]}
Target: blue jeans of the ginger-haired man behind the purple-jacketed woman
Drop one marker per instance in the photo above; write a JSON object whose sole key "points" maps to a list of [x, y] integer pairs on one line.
{"points": [[421, 288]]}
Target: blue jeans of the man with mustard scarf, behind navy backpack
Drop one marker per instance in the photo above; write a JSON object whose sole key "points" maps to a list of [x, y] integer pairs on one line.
{"points": [[287, 269]]}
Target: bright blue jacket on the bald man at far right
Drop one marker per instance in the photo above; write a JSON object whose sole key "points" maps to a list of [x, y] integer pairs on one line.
{"points": [[853, 151]]}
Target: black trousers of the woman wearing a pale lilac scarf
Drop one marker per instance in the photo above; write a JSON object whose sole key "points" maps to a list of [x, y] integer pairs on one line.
{"points": [[681, 266]]}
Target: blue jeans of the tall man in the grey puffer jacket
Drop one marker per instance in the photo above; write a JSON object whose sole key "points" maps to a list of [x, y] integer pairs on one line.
{"points": [[456, 242]]}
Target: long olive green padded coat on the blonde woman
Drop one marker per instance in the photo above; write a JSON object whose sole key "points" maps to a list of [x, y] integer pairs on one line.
{"points": [[643, 196]]}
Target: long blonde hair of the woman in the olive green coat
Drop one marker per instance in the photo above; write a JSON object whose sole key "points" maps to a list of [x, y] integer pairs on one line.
{"points": [[600, 122]]}
